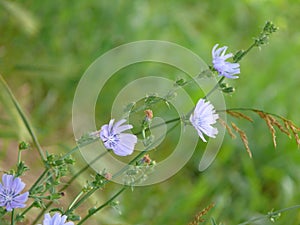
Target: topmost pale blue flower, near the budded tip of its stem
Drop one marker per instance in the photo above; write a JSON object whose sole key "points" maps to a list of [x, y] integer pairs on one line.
{"points": [[224, 68]]}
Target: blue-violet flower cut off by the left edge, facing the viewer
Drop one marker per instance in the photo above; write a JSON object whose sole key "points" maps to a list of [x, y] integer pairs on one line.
{"points": [[10, 189]]}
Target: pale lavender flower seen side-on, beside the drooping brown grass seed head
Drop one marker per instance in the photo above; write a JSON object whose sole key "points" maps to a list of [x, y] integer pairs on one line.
{"points": [[203, 117]]}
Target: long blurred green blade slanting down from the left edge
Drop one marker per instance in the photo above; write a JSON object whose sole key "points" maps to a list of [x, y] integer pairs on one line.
{"points": [[23, 117]]}
